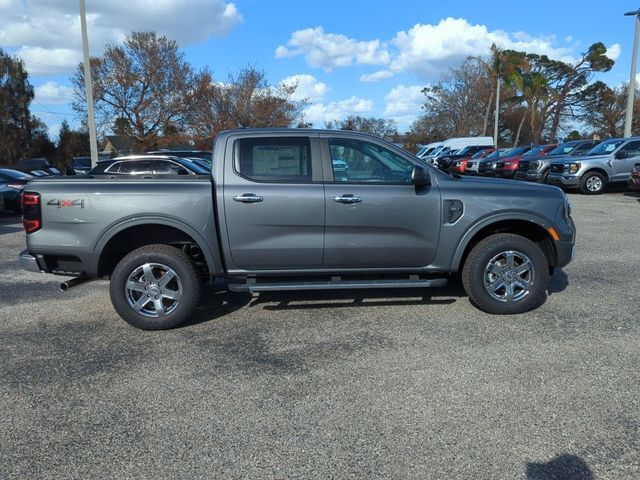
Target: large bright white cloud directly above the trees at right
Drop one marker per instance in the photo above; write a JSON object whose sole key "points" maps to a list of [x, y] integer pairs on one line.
{"points": [[426, 50]]}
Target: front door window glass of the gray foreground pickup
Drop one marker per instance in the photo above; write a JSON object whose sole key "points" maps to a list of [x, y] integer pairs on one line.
{"points": [[358, 161]]}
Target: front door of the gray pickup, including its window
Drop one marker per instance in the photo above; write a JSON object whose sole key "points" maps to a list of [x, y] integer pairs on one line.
{"points": [[376, 218]]}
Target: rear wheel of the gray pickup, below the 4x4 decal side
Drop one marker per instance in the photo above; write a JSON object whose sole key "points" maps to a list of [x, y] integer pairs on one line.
{"points": [[171, 294]]}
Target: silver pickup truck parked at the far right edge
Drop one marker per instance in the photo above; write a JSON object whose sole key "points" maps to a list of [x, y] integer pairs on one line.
{"points": [[612, 161]]}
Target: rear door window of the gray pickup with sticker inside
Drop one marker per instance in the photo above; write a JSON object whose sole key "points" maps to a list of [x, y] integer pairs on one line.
{"points": [[274, 159]]}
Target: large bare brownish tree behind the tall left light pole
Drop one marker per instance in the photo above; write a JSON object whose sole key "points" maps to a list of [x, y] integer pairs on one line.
{"points": [[146, 83]]}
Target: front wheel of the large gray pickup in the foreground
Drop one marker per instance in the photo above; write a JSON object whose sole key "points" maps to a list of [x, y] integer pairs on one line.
{"points": [[484, 270]]}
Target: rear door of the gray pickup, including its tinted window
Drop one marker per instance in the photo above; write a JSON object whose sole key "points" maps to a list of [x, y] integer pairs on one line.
{"points": [[273, 203]]}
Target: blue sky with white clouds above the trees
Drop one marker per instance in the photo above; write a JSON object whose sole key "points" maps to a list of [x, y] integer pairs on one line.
{"points": [[349, 57]]}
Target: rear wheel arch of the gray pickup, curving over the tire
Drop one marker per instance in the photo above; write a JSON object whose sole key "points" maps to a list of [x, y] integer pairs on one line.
{"points": [[125, 237]]}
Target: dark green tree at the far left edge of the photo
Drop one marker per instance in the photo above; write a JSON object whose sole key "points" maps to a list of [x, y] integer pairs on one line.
{"points": [[16, 94]]}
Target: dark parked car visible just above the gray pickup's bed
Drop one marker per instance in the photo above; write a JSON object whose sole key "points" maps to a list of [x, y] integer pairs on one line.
{"points": [[149, 165]]}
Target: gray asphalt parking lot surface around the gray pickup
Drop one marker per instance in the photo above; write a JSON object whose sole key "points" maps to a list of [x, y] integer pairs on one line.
{"points": [[362, 384]]}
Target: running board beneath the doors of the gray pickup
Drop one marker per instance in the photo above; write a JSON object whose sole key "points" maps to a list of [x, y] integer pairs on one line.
{"points": [[254, 287]]}
